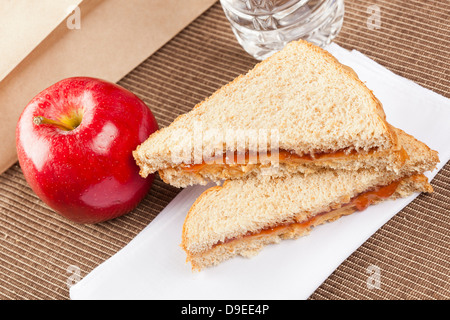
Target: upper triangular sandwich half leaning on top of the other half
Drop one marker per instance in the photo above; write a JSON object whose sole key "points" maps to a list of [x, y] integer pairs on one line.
{"points": [[301, 101]]}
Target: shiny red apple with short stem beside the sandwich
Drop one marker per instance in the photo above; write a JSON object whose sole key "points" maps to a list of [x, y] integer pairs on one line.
{"points": [[74, 143]]}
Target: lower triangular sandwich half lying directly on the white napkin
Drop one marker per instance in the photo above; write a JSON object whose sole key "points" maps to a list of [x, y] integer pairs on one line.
{"points": [[242, 216]]}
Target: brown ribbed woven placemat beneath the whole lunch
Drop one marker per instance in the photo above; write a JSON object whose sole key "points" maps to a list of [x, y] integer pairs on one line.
{"points": [[39, 250]]}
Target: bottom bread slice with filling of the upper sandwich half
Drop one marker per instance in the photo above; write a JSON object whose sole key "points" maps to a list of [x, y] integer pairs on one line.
{"points": [[183, 176]]}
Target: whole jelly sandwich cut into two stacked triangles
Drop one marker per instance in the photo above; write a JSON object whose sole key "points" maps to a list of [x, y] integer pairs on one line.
{"points": [[315, 122]]}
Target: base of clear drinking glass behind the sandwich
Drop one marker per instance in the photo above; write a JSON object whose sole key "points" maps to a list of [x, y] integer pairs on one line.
{"points": [[263, 27]]}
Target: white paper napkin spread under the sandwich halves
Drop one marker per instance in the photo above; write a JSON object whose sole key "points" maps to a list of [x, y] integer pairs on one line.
{"points": [[152, 266]]}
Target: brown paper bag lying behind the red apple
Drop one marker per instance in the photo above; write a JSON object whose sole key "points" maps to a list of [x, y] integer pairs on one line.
{"points": [[98, 38]]}
